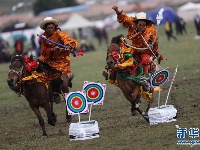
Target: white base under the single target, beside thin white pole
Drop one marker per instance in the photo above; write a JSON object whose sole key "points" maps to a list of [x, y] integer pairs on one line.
{"points": [[164, 113]]}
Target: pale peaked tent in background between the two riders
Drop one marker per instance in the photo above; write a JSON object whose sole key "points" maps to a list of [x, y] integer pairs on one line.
{"points": [[76, 21]]}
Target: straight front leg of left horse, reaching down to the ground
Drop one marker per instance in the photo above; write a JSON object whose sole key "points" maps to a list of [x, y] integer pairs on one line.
{"points": [[41, 121]]}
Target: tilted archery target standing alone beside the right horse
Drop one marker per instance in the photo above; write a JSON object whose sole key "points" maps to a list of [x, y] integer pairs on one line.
{"points": [[160, 78]]}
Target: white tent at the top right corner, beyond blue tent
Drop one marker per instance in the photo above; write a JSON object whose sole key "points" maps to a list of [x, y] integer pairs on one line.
{"points": [[188, 11]]}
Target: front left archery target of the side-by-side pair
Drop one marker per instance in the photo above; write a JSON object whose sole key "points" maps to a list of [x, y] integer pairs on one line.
{"points": [[76, 103]]}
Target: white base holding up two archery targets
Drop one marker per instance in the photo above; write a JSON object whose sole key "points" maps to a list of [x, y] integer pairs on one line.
{"points": [[84, 130]]}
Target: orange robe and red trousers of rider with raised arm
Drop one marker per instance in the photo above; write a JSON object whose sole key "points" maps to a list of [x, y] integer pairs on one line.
{"points": [[140, 39]]}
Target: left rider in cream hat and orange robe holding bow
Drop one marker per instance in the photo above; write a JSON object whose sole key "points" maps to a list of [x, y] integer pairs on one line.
{"points": [[56, 57]]}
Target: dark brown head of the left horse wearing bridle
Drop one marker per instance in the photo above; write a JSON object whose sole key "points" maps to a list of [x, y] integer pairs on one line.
{"points": [[15, 73]]}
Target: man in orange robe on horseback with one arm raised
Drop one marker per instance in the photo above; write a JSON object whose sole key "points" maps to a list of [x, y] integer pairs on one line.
{"points": [[142, 32]]}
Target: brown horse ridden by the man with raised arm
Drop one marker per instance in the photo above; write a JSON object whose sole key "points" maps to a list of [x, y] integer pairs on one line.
{"points": [[126, 79]]}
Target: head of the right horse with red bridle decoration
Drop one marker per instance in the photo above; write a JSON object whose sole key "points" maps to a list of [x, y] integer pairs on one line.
{"points": [[113, 51]]}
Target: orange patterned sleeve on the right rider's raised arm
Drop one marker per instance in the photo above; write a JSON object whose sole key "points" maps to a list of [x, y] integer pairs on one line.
{"points": [[125, 20]]}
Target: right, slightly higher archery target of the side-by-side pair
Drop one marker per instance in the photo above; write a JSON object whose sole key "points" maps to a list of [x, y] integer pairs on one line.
{"points": [[94, 92]]}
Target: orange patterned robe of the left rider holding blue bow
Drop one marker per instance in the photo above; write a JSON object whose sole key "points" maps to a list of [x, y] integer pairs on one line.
{"points": [[59, 59]]}
